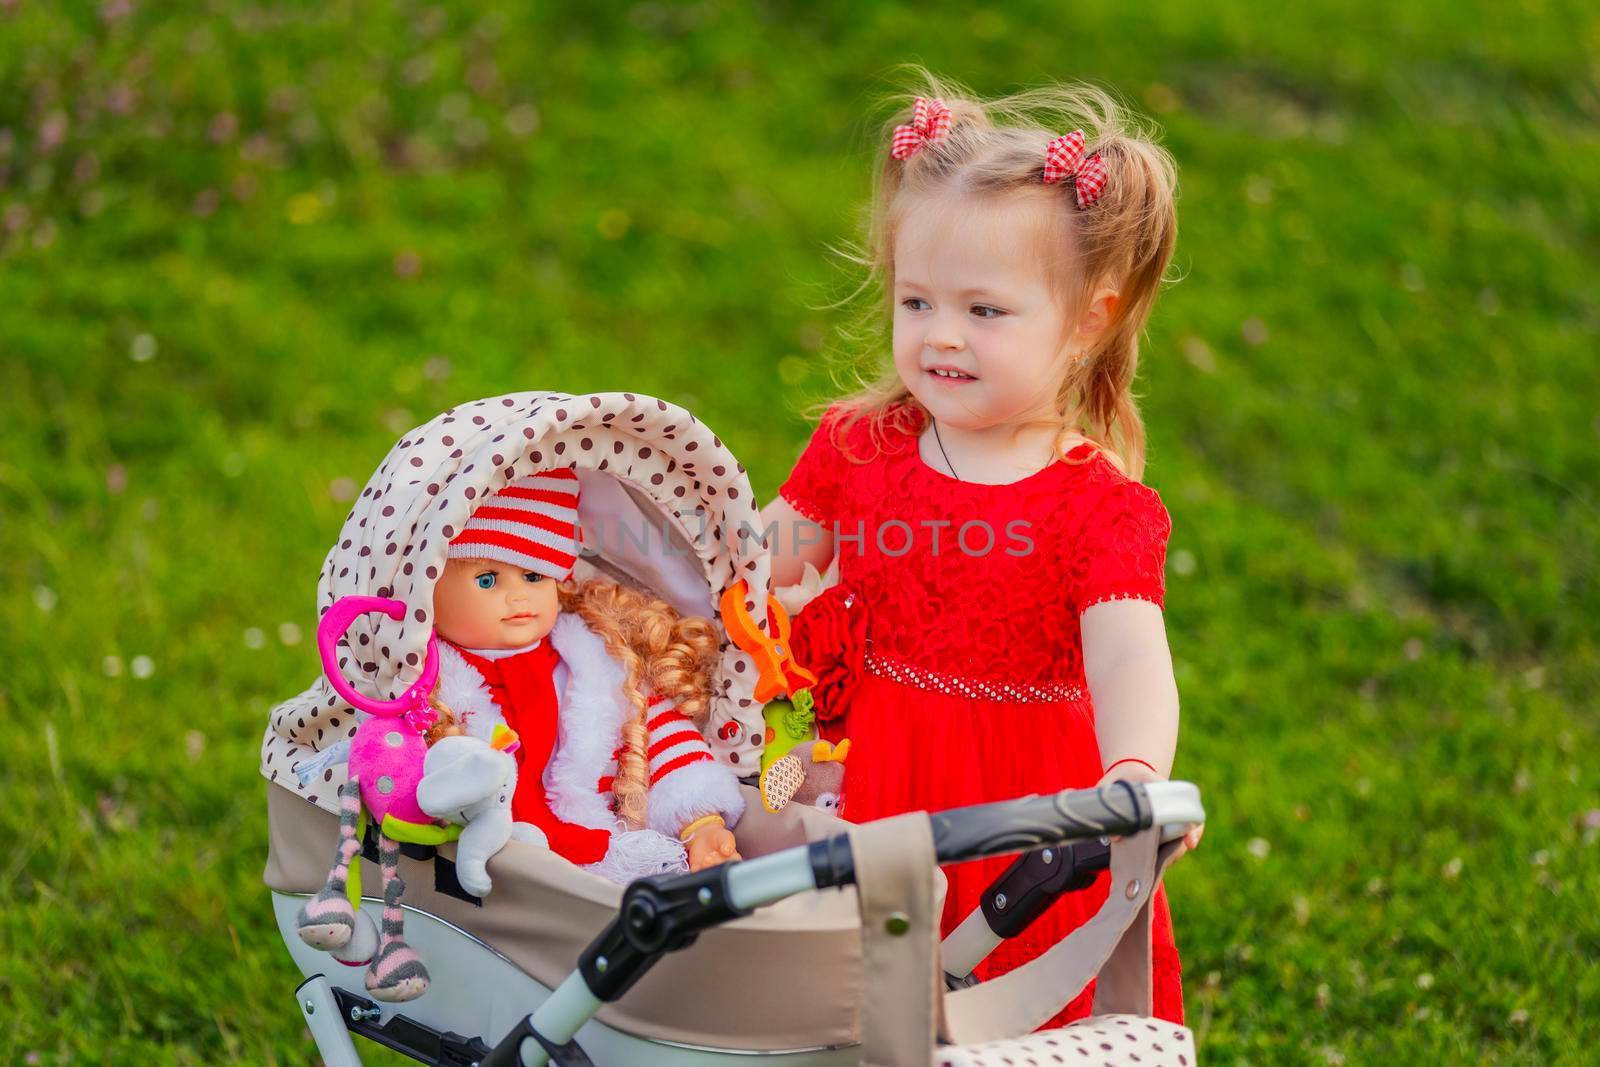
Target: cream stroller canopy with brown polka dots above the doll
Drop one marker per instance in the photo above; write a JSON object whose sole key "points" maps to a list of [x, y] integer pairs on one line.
{"points": [[396, 538]]}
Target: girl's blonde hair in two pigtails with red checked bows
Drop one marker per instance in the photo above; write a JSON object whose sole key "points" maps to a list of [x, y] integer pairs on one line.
{"points": [[1124, 241]]}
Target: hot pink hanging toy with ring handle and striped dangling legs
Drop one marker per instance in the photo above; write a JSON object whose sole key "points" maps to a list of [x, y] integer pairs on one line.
{"points": [[385, 770]]}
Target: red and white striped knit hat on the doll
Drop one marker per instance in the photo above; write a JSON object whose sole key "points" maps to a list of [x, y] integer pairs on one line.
{"points": [[532, 522]]}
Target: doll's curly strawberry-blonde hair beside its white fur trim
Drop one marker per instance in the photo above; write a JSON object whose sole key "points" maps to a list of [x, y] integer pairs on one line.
{"points": [[662, 653]]}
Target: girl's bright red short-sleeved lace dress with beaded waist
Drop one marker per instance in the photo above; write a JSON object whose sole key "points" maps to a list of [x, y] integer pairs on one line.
{"points": [[970, 684]]}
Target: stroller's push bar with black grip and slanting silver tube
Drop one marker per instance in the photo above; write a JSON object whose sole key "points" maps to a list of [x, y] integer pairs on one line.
{"points": [[665, 914]]}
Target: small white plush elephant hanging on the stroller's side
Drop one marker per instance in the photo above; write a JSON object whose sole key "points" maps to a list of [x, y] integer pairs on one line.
{"points": [[468, 783]]}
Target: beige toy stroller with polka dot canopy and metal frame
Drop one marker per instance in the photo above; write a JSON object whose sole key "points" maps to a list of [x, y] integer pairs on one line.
{"points": [[804, 978]]}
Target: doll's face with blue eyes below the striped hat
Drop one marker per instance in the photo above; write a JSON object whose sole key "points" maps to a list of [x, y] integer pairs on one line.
{"points": [[487, 604]]}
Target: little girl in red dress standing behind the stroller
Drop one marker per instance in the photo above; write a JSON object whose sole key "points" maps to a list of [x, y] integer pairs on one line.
{"points": [[994, 543]]}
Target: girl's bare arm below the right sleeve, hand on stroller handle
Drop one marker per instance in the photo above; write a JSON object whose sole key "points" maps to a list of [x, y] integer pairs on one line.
{"points": [[1130, 673]]}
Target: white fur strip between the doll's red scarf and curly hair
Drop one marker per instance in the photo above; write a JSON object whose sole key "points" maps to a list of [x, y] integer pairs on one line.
{"points": [[588, 729]]}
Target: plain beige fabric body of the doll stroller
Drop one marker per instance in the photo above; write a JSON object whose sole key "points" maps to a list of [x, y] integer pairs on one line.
{"points": [[788, 977]]}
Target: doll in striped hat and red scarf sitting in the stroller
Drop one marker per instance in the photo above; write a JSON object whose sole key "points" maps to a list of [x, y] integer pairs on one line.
{"points": [[604, 687]]}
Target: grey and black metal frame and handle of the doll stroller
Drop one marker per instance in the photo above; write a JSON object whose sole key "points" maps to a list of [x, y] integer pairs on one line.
{"points": [[666, 914]]}
